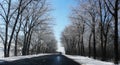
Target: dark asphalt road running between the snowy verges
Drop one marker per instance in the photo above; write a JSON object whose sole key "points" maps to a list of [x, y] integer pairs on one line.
{"points": [[43, 60]]}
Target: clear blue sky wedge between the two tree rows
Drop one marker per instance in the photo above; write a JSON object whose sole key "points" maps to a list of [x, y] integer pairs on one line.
{"points": [[61, 13]]}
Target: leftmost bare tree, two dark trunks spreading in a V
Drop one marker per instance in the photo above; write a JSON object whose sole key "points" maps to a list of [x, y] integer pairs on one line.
{"points": [[7, 14]]}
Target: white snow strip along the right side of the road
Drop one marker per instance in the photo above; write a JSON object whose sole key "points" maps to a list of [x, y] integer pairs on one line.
{"points": [[88, 61]]}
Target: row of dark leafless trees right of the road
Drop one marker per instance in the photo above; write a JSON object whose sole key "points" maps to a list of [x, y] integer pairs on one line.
{"points": [[94, 30]]}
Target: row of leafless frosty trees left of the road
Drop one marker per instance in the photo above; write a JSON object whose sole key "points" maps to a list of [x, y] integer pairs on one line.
{"points": [[21, 22]]}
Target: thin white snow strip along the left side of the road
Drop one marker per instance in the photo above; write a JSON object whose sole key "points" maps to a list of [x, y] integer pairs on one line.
{"points": [[20, 57]]}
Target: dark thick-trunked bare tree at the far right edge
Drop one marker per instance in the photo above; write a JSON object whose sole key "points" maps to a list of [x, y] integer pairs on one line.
{"points": [[113, 7]]}
